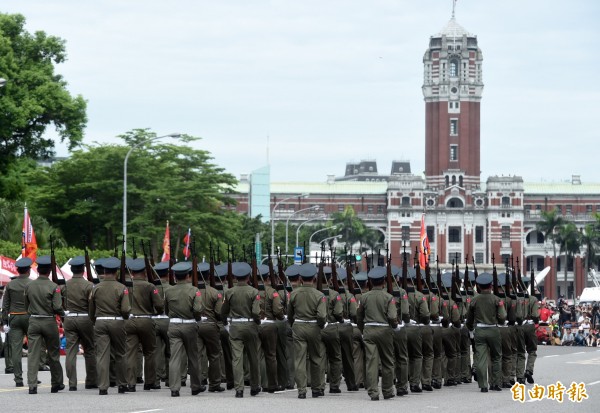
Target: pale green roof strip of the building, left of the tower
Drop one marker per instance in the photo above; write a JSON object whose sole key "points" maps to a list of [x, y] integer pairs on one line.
{"points": [[336, 187]]}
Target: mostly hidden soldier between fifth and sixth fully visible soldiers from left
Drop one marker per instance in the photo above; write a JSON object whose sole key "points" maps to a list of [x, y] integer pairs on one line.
{"points": [[162, 353]]}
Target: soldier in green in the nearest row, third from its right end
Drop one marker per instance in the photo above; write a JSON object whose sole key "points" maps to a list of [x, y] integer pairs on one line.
{"points": [[307, 313]]}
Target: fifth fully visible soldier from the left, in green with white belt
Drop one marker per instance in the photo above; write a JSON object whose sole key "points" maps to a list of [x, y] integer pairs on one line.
{"points": [[145, 303]]}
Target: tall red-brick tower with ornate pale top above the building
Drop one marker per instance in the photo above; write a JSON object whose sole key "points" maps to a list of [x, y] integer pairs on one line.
{"points": [[452, 89]]}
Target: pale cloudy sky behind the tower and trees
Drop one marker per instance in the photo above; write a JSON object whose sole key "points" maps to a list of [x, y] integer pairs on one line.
{"points": [[310, 85]]}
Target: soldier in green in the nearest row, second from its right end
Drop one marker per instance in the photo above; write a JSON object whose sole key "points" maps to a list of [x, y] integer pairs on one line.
{"points": [[376, 318]]}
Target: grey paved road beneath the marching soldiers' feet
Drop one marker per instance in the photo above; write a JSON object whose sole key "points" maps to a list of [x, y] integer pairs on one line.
{"points": [[568, 364]]}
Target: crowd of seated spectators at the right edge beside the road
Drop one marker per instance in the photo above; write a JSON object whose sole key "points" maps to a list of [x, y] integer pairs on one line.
{"points": [[569, 325]]}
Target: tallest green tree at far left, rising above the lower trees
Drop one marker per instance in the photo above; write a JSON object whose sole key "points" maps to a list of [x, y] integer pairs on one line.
{"points": [[34, 95]]}
